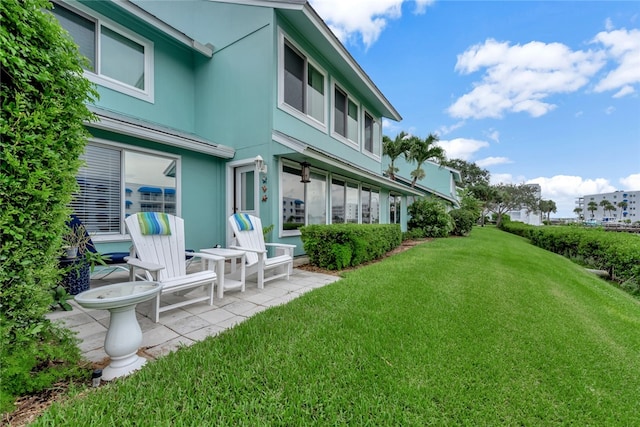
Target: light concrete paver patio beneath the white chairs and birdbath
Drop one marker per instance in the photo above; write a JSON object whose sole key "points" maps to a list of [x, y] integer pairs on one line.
{"points": [[189, 324]]}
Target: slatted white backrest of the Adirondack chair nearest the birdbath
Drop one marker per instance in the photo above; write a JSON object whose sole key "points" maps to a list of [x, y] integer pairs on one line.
{"points": [[166, 250]]}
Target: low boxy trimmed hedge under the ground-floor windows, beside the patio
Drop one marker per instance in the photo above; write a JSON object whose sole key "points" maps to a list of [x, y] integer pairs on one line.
{"points": [[338, 246]]}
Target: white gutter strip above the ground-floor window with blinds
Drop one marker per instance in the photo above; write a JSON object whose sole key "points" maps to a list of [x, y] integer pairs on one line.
{"points": [[130, 126]]}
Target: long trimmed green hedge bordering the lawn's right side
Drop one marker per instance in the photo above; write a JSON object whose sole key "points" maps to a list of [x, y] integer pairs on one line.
{"points": [[617, 253]]}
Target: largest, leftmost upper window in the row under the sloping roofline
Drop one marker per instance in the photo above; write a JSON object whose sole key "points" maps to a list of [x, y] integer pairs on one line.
{"points": [[303, 84]]}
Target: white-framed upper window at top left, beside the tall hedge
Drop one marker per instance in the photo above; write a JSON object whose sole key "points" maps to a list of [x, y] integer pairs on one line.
{"points": [[118, 59]]}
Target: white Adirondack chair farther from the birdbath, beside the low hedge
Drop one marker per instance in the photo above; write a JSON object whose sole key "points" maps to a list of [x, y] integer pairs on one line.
{"points": [[258, 263]]}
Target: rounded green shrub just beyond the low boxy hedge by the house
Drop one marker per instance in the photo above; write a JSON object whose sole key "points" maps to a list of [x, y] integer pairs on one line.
{"points": [[430, 216]]}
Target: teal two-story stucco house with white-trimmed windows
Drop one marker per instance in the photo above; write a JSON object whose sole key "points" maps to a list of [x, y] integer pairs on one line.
{"points": [[212, 107]]}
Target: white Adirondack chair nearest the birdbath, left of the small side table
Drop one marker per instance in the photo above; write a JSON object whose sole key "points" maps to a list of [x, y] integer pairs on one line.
{"points": [[163, 257]]}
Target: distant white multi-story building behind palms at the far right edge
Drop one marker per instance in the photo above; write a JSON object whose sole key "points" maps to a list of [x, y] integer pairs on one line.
{"points": [[623, 205]]}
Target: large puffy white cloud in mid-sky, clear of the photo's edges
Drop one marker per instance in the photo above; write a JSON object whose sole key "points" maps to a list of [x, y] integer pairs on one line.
{"points": [[520, 78]]}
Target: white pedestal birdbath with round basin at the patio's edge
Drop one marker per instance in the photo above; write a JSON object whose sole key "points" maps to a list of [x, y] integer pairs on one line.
{"points": [[124, 335]]}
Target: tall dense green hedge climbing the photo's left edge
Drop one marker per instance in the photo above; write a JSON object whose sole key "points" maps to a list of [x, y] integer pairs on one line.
{"points": [[43, 95]]}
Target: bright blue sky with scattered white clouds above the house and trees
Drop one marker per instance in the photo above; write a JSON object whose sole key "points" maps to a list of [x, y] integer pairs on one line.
{"points": [[535, 92]]}
